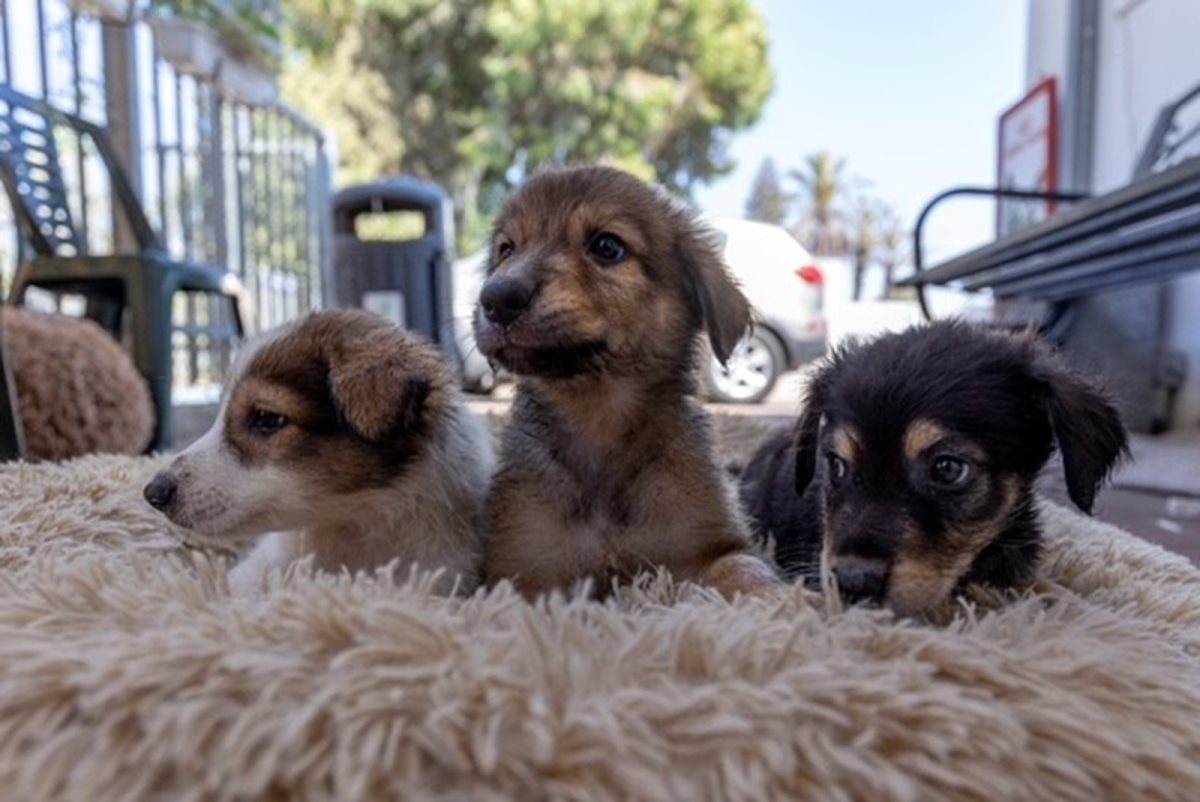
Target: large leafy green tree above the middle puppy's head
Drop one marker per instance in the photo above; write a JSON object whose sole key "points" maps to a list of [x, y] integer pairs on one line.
{"points": [[473, 94]]}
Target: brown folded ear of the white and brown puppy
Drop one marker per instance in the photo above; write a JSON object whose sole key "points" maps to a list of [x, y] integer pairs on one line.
{"points": [[377, 390]]}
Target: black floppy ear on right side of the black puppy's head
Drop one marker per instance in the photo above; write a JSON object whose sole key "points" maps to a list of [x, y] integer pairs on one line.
{"points": [[1087, 427]]}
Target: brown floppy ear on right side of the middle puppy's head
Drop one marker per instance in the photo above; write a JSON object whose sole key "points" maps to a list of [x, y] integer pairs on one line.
{"points": [[725, 310]]}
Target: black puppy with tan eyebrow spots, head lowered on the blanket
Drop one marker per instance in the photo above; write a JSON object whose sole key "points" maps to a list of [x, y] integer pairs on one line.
{"points": [[911, 471]]}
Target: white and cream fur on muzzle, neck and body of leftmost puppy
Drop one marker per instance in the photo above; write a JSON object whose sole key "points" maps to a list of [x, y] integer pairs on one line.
{"points": [[431, 517]]}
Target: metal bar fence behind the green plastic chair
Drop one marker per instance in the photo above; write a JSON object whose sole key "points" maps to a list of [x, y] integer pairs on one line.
{"points": [[238, 184]]}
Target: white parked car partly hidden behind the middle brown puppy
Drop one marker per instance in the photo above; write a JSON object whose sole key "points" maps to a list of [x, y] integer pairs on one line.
{"points": [[776, 273]]}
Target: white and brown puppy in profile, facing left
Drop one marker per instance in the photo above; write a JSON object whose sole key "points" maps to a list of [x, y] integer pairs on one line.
{"points": [[341, 436]]}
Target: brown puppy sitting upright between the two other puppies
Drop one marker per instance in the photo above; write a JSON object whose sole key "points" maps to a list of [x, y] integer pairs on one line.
{"points": [[598, 290]]}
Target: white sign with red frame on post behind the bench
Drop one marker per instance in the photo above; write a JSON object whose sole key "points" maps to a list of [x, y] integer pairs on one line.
{"points": [[1028, 158]]}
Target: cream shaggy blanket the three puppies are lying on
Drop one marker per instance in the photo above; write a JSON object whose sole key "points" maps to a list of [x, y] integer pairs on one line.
{"points": [[129, 673]]}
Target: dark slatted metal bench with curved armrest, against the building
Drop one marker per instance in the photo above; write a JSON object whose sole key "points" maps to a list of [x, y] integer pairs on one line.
{"points": [[1145, 232]]}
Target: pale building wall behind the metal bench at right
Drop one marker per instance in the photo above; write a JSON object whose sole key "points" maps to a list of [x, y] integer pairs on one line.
{"points": [[1149, 56]]}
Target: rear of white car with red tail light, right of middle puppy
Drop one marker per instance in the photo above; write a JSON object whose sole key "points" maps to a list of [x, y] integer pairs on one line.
{"points": [[785, 288]]}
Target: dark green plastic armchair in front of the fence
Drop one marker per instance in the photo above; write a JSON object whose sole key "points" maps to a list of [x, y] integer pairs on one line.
{"points": [[124, 292]]}
